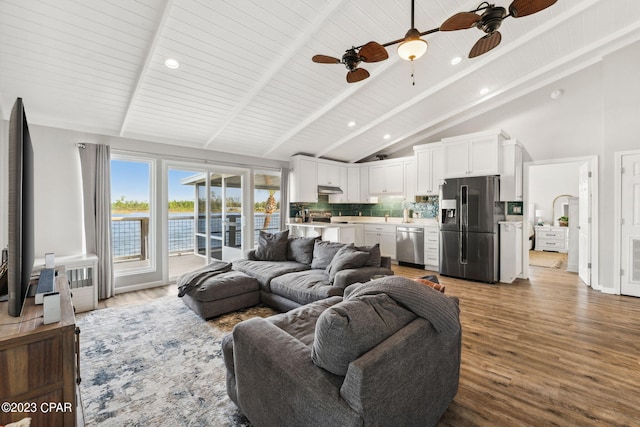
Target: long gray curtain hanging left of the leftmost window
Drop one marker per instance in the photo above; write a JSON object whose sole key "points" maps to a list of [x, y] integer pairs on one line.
{"points": [[95, 160]]}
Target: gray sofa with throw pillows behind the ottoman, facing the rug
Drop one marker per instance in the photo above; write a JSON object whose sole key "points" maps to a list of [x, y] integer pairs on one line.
{"points": [[294, 271]]}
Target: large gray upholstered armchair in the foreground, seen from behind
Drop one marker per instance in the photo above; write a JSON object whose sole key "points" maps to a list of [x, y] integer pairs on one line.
{"points": [[385, 354]]}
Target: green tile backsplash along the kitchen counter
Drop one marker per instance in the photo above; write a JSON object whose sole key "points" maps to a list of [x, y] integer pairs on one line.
{"points": [[391, 206]]}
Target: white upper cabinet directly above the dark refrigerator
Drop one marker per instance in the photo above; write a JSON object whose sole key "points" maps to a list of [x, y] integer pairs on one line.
{"points": [[477, 154]]}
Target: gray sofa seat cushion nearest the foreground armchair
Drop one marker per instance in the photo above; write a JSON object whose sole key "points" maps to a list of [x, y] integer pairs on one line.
{"points": [[304, 287]]}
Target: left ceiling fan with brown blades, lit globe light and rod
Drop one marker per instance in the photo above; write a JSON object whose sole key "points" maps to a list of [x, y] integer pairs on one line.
{"points": [[411, 47]]}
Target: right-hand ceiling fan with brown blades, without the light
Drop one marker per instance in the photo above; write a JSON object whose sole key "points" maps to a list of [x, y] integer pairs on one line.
{"points": [[488, 17]]}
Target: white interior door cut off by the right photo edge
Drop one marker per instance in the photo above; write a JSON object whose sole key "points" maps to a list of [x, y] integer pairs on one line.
{"points": [[630, 226]]}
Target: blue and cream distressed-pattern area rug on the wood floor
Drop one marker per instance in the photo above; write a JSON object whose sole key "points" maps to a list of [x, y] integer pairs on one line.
{"points": [[156, 364]]}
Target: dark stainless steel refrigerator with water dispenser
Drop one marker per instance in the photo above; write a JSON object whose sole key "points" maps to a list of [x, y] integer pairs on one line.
{"points": [[470, 211]]}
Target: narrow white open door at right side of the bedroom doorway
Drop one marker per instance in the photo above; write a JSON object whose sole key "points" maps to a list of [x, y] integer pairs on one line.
{"points": [[584, 227]]}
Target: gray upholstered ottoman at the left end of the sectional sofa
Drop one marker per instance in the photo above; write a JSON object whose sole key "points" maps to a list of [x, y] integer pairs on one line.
{"points": [[223, 293]]}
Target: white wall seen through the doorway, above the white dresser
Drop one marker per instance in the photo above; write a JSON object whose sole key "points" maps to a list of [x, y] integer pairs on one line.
{"points": [[546, 182]]}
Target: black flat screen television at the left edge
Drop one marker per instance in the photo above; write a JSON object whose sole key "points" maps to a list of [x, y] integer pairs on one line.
{"points": [[20, 209]]}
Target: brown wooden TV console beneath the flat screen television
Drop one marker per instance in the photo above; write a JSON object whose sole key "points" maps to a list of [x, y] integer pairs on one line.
{"points": [[39, 364]]}
